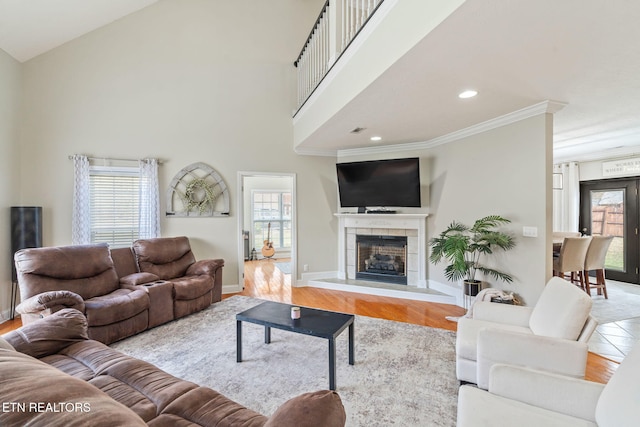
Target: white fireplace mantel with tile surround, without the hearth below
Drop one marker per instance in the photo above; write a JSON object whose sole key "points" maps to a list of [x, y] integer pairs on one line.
{"points": [[413, 225]]}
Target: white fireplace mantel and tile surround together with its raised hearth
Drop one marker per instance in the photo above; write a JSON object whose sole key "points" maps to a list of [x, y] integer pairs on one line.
{"points": [[411, 225]]}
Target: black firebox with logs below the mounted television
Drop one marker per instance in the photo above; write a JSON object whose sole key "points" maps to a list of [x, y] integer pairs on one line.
{"points": [[381, 258]]}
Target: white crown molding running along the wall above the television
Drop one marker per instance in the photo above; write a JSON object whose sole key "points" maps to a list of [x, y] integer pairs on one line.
{"points": [[550, 107]]}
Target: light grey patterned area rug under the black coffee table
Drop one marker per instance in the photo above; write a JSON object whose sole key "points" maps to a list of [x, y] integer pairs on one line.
{"points": [[403, 375]]}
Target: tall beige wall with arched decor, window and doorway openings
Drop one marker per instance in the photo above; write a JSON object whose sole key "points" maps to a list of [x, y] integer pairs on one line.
{"points": [[185, 81]]}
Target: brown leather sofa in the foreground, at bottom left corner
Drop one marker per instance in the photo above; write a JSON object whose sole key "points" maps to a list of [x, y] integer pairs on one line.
{"points": [[53, 375]]}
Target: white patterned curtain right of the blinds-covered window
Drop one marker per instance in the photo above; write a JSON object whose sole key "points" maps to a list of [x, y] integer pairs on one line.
{"points": [[149, 199]]}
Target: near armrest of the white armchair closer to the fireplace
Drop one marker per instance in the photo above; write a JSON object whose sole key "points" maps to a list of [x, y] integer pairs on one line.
{"points": [[534, 351]]}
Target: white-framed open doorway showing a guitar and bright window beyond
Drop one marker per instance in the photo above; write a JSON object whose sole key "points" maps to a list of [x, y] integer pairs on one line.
{"points": [[267, 227]]}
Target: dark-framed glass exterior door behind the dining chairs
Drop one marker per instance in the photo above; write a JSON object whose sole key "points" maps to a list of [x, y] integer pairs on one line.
{"points": [[611, 207]]}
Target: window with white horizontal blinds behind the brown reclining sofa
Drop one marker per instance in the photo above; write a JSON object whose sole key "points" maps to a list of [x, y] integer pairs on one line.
{"points": [[115, 203]]}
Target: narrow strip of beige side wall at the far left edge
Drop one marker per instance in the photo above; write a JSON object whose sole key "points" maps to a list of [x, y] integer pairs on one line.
{"points": [[10, 94]]}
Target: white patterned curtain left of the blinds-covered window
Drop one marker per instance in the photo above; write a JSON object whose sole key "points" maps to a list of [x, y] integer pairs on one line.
{"points": [[81, 217]]}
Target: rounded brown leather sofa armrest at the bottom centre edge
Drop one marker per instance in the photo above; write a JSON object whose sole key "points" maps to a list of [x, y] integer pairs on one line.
{"points": [[322, 408]]}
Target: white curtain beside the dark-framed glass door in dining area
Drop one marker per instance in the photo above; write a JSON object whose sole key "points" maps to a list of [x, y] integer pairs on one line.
{"points": [[566, 197]]}
